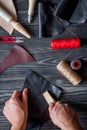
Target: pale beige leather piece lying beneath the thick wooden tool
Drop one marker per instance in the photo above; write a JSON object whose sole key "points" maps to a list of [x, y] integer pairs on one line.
{"points": [[9, 6]]}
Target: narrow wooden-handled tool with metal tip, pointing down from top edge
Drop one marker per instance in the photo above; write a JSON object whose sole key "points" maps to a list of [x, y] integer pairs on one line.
{"points": [[31, 9]]}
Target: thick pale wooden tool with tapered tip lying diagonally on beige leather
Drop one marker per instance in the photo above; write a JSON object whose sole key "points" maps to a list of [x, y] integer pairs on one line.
{"points": [[8, 18]]}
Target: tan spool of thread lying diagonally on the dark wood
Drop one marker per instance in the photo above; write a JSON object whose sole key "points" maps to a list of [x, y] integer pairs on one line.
{"points": [[68, 73]]}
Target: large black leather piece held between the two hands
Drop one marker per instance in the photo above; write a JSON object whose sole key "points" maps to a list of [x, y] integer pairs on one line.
{"points": [[38, 107]]}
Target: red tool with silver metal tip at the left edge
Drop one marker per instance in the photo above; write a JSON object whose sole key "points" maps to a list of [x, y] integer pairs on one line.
{"points": [[11, 39]]}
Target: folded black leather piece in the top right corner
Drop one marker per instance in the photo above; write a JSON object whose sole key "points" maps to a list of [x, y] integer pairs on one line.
{"points": [[73, 11]]}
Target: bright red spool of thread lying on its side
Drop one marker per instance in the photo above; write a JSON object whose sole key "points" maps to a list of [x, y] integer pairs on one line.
{"points": [[65, 43]]}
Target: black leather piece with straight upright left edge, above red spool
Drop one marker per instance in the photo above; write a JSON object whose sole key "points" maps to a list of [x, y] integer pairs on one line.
{"points": [[48, 24]]}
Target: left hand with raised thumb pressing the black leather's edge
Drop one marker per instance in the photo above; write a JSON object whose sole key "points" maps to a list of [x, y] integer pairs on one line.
{"points": [[16, 110]]}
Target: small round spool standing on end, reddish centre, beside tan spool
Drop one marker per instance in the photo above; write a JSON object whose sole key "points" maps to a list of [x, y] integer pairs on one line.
{"points": [[76, 64]]}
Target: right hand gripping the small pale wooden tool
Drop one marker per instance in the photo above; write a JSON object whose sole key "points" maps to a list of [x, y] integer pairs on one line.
{"points": [[63, 116]]}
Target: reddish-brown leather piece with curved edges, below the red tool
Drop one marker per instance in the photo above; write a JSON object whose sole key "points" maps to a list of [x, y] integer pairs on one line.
{"points": [[16, 55]]}
